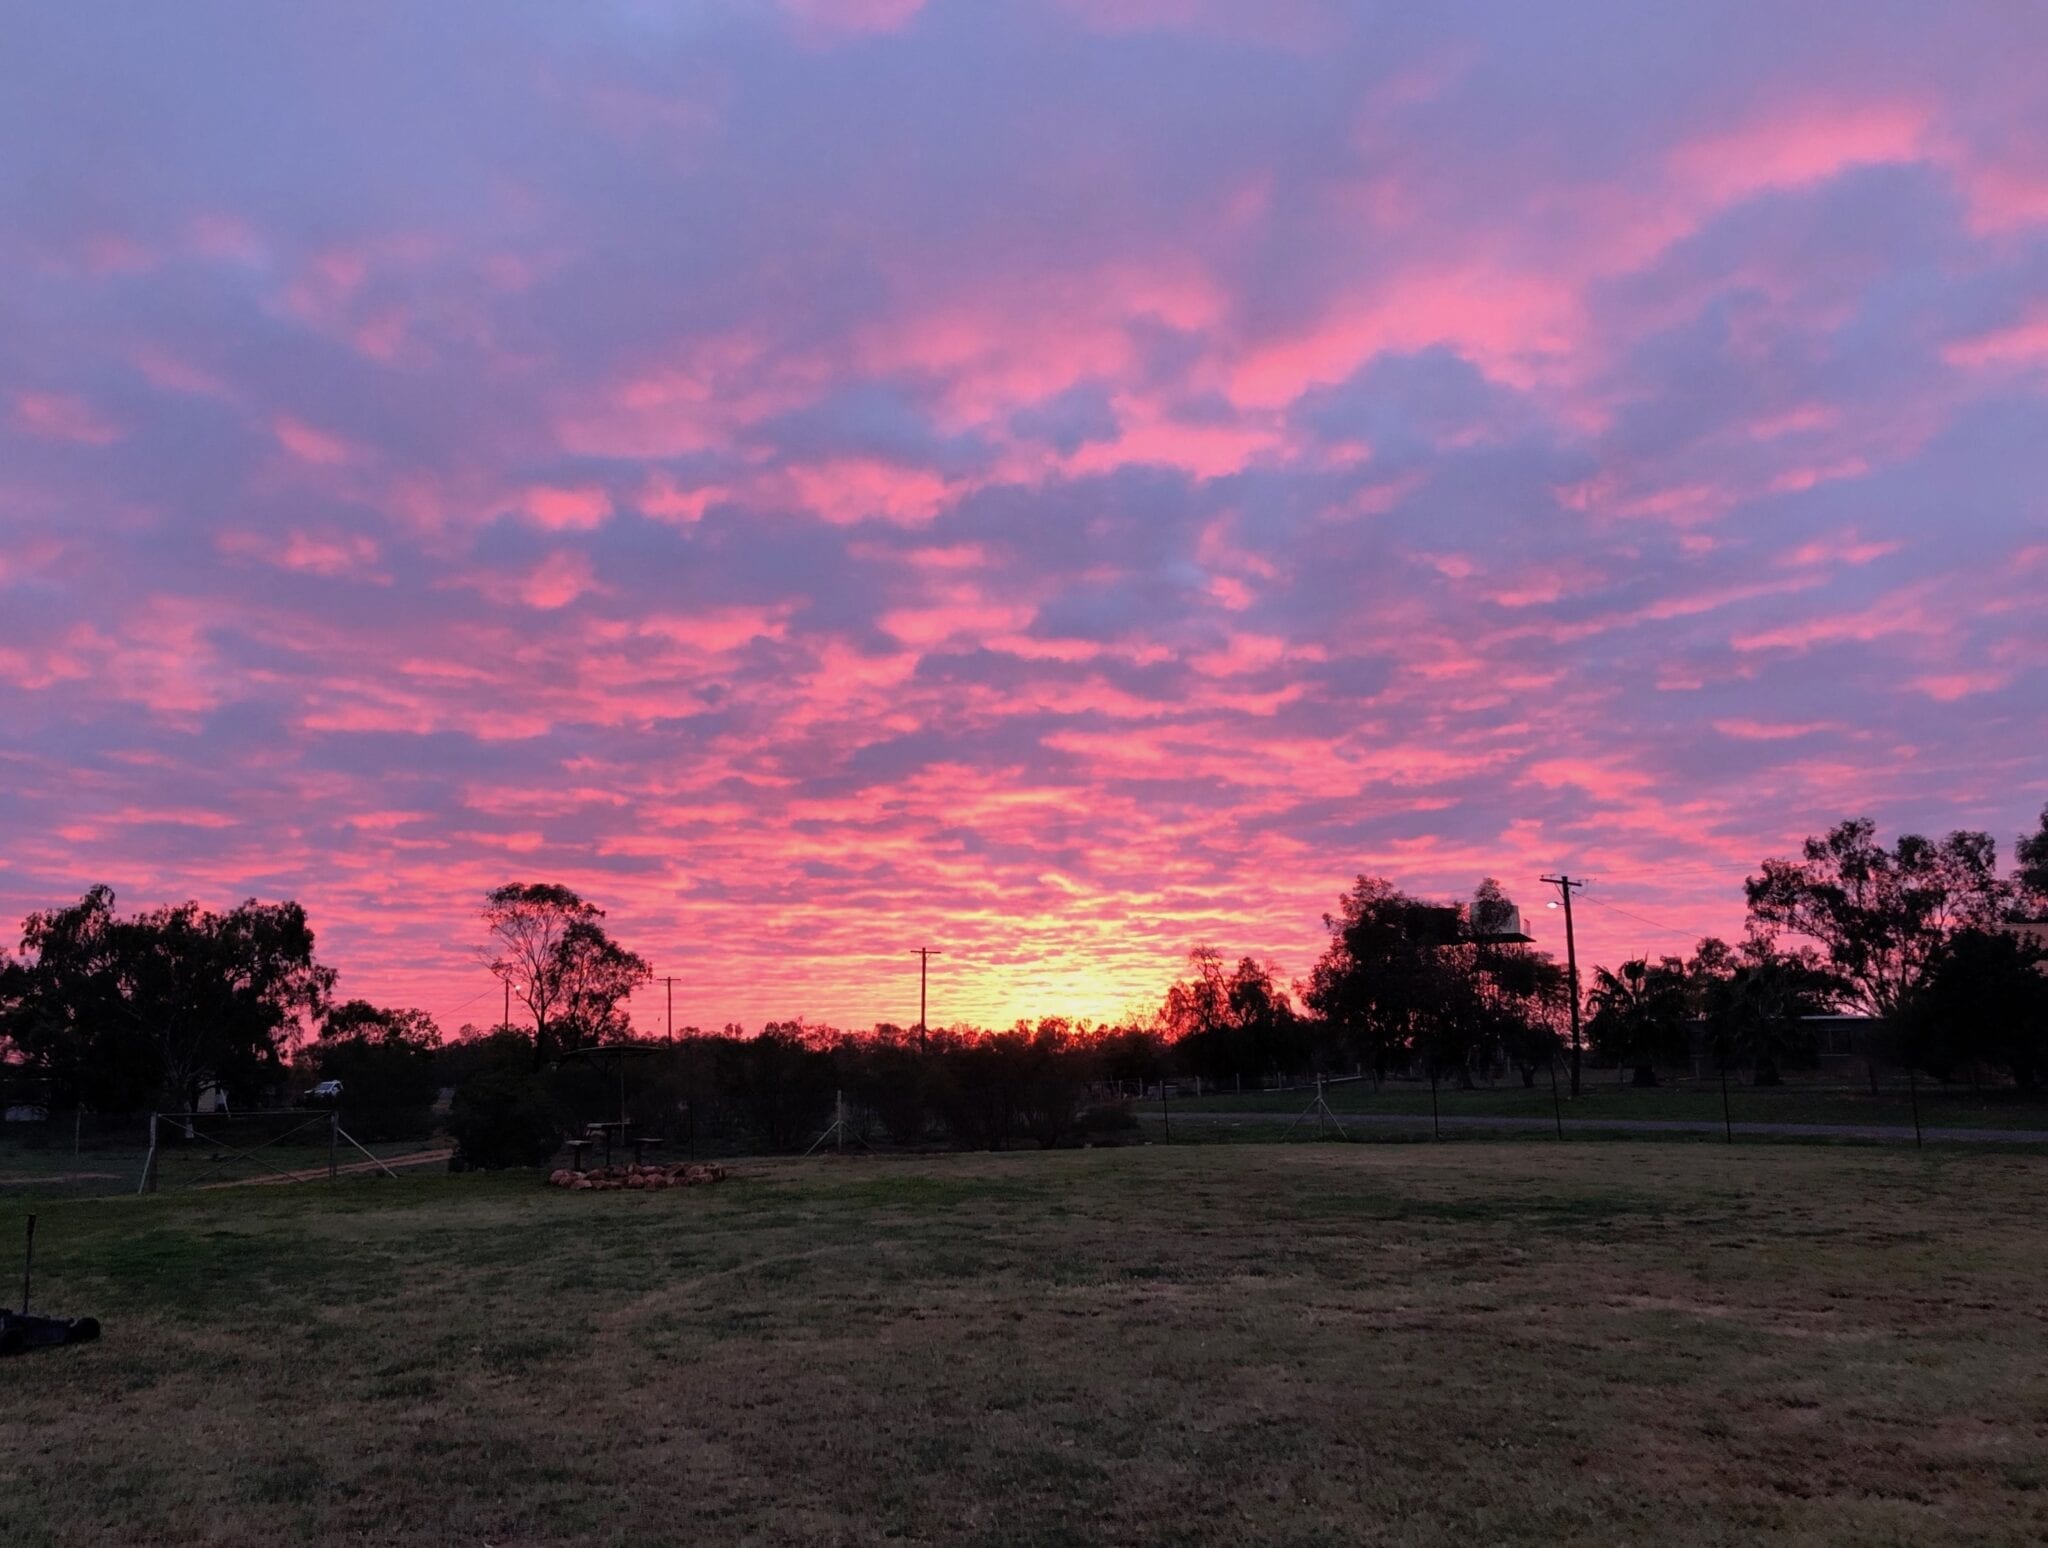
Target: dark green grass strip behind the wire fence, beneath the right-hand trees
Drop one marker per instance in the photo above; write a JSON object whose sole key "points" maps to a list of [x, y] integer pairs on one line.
{"points": [[1680, 1101]]}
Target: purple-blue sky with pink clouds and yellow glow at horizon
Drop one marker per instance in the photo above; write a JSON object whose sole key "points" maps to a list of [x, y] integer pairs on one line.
{"points": [[1052, 480]]}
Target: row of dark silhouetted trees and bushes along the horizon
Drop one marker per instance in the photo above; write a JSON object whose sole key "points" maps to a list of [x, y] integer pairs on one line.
{"points": [[132, 1013]]}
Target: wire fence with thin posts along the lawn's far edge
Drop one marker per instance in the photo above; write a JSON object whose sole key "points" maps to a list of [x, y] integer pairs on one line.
{"points": [[83, 1154]]}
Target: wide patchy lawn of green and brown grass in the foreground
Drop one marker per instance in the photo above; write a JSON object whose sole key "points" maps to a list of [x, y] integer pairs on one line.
{"points": [[1308, 1344]]}
